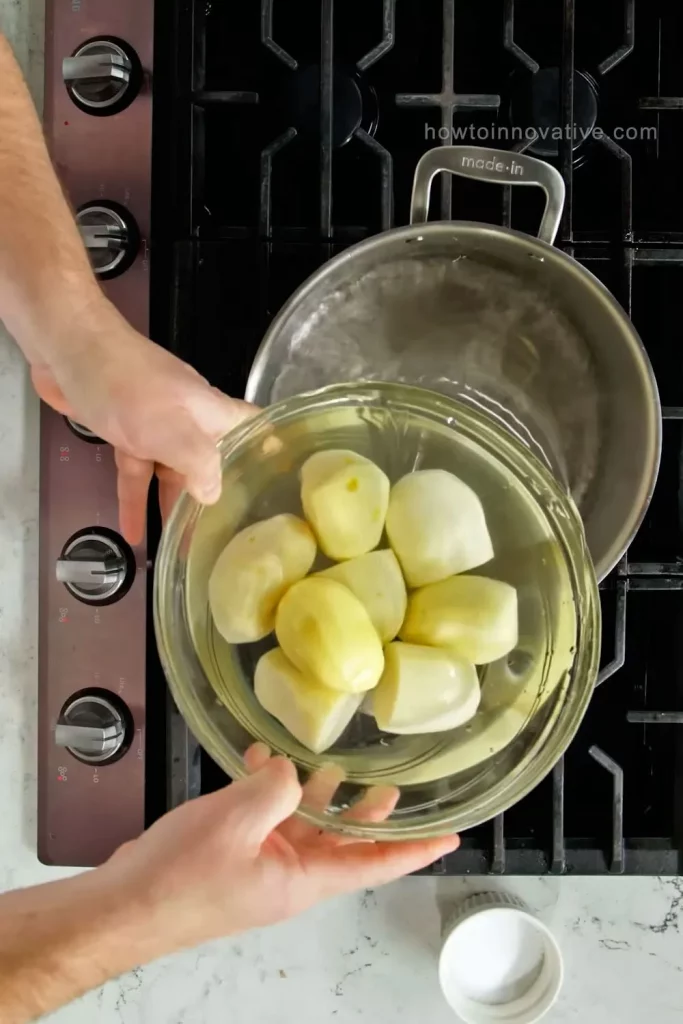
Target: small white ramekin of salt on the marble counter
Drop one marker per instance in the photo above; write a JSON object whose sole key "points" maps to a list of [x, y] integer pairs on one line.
{"points": [[500, 965]]}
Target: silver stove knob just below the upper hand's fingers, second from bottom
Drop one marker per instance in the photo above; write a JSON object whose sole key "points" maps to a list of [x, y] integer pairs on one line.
{"points": [[97, 567]]}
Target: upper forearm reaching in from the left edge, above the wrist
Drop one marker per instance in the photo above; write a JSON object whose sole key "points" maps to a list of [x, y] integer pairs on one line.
{"points": [[46, 276]]}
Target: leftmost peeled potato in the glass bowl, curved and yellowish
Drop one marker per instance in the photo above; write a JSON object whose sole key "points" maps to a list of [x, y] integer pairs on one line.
{"points": [[252, 574]]}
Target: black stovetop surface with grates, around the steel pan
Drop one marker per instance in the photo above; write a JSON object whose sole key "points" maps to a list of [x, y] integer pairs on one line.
{"points": [[288, 130]]}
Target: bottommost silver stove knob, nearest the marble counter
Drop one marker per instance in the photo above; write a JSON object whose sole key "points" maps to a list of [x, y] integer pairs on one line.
{"points": [[95, 727]]}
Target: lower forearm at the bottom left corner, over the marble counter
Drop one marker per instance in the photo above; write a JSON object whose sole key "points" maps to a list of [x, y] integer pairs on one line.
{"points": [[60, 941]]}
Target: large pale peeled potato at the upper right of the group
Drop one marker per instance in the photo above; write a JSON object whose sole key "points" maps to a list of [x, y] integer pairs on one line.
{"points": [[437, 527]]}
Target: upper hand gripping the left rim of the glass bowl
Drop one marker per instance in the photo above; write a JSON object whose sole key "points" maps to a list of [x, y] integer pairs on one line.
{"points": [[156, 411]]}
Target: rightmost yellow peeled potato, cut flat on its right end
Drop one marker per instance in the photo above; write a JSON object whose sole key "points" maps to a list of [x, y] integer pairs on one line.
{"points": [[474, 616]]}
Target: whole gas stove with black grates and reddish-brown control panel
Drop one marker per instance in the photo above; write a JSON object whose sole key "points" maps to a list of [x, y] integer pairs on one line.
{"points": [[216, 155]]}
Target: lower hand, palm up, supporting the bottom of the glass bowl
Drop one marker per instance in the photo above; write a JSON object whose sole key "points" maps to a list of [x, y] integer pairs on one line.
{"points": [[239, 860]]}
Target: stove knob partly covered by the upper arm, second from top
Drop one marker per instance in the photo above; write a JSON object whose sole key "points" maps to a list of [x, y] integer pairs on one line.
{"points": [[111, 236]]}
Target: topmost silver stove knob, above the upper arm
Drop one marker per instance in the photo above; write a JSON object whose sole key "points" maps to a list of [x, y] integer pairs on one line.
{"points": [[103, 76]]}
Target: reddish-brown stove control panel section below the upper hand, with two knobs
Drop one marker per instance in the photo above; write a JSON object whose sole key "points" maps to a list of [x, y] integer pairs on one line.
{"points": [[93, 655]]}
